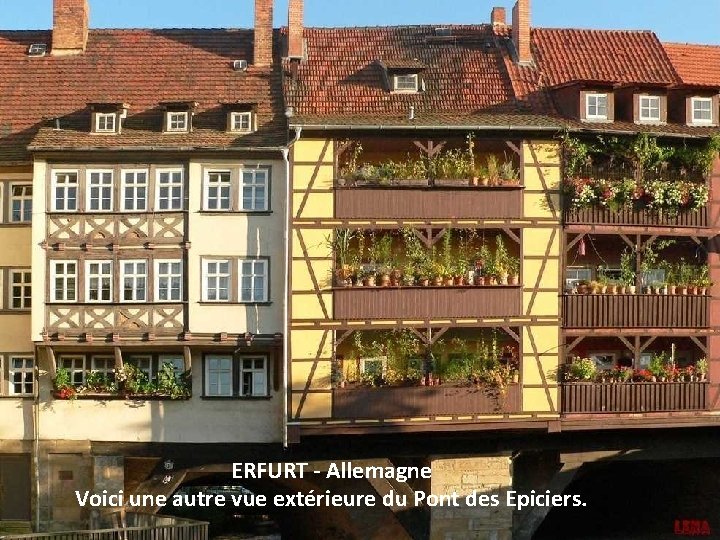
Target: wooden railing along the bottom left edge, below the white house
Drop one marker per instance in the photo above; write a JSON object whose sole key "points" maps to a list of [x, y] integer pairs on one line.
{"points": [[163, 529]]}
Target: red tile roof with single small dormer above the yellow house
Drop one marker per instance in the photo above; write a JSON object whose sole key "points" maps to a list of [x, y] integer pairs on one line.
{"points": [[465, 73]]}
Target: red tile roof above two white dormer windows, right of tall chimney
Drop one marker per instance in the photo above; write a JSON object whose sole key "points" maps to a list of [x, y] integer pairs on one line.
{"points": [[614, 56]]}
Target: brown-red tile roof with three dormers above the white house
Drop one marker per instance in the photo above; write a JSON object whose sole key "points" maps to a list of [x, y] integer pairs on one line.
{"points": [[142, 68]]}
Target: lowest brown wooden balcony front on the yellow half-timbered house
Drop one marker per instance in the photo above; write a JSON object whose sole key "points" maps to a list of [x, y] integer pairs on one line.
{"points": [[405, 402]]}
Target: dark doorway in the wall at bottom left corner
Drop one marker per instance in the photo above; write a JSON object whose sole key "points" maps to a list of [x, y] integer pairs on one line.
{"points": [[15, 487]]}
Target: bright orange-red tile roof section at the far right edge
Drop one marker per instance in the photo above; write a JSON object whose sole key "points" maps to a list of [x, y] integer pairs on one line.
{"points": [[696, 65]]}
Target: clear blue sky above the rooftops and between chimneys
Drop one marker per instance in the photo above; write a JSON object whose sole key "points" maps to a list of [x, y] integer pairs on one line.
{"points": [[699, 23]]}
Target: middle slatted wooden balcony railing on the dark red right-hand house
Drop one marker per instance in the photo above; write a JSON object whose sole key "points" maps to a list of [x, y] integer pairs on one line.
{"points": [[635, 311]]}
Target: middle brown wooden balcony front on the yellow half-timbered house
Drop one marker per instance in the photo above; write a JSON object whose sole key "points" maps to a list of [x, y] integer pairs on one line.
{"points": [[364, 303]]}
